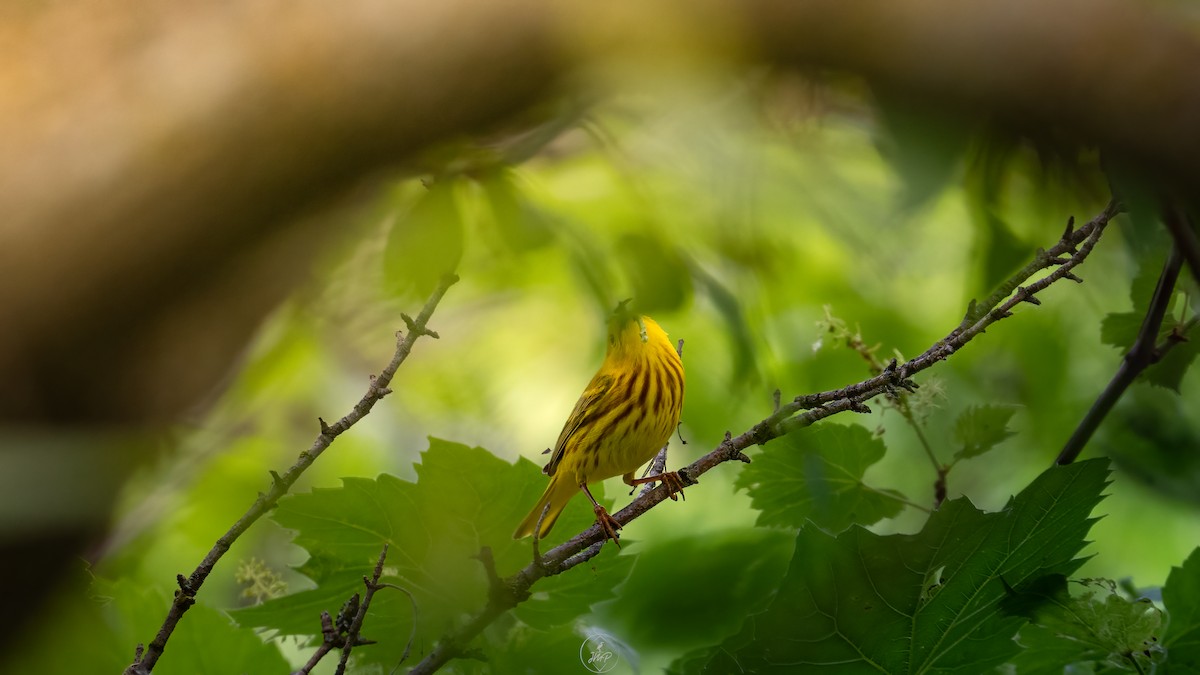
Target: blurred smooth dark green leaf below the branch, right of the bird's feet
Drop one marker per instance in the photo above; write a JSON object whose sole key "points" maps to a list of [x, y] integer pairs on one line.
{"points": [[710, 584]]}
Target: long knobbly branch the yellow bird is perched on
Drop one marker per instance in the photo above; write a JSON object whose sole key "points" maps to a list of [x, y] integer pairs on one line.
{"points": [[1066, 255]]}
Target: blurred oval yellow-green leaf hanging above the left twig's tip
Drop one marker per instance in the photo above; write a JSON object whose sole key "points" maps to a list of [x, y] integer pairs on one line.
{"points": [[427, 243]]}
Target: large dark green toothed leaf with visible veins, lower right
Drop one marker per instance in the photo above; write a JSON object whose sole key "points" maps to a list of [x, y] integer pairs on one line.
{"points": [[916, 604]]}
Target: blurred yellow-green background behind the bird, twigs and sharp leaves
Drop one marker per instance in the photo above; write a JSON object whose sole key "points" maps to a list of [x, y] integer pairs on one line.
{"points": [[737, 216]]}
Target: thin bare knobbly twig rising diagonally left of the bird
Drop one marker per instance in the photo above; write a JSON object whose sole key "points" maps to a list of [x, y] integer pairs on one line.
{"points": [[185, 598]]}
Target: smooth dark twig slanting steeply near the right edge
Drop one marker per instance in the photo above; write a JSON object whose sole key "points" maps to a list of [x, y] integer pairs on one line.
{"points": [[1144, 354]]}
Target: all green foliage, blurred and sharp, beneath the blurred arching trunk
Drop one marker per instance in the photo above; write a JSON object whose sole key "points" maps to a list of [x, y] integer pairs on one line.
{"points": [[736, 210]]}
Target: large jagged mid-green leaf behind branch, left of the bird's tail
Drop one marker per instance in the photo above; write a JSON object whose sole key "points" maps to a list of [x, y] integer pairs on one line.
{"points": [[465, 499]]}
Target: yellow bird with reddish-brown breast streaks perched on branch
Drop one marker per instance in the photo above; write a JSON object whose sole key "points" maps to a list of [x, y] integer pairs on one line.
{"points": [[625, 417]]}
